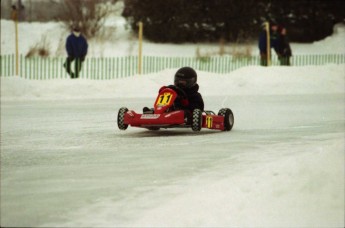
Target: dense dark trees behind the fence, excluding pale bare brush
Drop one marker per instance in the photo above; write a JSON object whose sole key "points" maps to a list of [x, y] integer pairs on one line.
{"points": [[208, 21]]}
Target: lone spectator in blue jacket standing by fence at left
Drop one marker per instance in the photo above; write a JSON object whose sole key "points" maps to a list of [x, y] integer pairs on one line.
{"points": [[76, 47]]}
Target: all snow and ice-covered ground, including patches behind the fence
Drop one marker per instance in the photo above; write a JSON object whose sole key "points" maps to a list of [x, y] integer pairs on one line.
{"points": [[64, 162]]}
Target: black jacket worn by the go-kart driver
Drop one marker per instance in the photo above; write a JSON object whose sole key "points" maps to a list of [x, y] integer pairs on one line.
{"points": [[194, 98]]}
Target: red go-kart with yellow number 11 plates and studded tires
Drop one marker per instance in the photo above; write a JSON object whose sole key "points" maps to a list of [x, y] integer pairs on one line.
{"points": [[166, 115]]}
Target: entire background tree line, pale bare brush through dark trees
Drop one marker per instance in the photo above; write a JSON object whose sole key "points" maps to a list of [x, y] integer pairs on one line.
{"points": [[181, 21]]}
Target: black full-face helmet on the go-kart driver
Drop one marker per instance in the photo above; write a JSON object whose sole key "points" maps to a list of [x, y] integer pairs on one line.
{"points": [[185, 77]]}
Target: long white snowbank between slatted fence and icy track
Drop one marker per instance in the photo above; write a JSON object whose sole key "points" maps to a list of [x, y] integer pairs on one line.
{"points": [[253, 80]]}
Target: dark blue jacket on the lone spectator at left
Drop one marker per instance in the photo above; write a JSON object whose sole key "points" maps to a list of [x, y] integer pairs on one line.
{"points": [[76, 46]]}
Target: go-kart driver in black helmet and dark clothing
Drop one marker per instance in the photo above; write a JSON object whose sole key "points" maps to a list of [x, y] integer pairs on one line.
{"points": [[186, 79]]}
